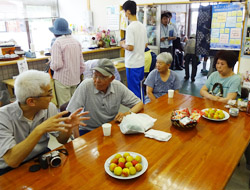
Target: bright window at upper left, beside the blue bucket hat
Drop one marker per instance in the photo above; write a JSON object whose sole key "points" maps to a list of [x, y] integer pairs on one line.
{"points": [[27, 21]]}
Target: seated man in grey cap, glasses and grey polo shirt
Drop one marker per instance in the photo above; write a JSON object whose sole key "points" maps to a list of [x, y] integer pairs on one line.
{"points": [[102, 96]]}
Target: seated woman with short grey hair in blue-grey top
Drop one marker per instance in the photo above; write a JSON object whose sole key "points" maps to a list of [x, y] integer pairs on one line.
{"points": [[161, 79]]}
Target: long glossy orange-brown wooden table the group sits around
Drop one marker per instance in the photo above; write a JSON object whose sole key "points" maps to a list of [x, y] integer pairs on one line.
{"points": [[202, 158]]}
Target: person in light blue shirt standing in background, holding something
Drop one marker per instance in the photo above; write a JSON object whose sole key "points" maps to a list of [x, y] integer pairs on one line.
{"points": [[168, 34]]}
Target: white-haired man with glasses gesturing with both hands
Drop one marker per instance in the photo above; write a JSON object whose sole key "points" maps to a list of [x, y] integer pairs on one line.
{"points": [[25, 124]]}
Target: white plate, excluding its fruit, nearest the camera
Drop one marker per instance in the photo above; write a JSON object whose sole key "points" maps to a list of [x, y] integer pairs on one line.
{"points": [[144, 163]]}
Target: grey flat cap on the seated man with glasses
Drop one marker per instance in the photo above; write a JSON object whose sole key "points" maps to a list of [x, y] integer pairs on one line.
{"points": [[105, 67]]}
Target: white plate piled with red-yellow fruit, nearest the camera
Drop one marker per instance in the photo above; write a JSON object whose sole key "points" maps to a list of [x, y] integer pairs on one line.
{"points": [[126, 165]]}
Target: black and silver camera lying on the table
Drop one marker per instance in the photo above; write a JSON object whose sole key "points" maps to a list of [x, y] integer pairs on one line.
{"points": [[52, 159]]}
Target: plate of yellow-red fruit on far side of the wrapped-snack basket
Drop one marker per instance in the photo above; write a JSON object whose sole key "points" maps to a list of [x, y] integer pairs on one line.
{"points": [[215, 114]]}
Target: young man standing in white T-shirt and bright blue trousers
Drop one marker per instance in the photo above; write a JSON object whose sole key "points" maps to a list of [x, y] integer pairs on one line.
{"points": [[134, 45]]}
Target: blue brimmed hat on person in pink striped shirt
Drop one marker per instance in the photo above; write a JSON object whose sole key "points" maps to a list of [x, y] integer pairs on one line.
{"points": [[61, 27]]}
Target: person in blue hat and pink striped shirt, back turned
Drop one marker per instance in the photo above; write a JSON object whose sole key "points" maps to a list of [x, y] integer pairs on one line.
{"points": [[66, 61]]}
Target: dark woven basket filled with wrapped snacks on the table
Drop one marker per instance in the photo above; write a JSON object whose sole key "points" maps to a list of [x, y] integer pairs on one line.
{"points": [[183, 120]]}
